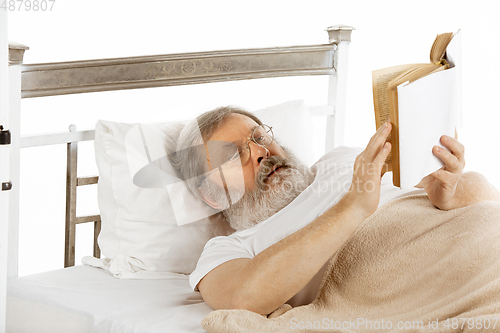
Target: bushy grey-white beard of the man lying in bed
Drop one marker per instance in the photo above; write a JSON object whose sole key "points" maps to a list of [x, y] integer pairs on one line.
{"points": [[270, 195]]}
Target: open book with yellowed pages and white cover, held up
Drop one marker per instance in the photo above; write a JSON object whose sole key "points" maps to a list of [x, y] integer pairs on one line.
{"points": [[422, 102]]}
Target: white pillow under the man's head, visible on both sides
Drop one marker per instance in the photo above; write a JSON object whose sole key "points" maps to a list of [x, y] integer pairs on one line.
{"points": [[140, 232]]}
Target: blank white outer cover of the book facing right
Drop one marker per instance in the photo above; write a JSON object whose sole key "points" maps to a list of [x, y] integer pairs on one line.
{"points": [[427, 110]]}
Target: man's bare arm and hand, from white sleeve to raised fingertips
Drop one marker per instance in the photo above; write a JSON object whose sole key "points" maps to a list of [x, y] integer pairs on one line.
{"points": [[275, 275]]}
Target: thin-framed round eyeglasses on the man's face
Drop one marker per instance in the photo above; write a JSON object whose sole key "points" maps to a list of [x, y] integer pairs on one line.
{"points": [[261, 135]]}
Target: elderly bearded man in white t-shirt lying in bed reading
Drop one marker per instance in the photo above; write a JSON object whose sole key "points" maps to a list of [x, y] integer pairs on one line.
{"points": [[269, 261]]}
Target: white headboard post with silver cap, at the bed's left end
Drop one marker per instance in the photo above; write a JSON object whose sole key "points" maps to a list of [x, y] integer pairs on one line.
{"points": [[16, 54]]}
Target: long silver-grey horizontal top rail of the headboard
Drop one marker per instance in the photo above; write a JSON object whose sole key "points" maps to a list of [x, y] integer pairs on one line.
{"points": [[177, 69]]}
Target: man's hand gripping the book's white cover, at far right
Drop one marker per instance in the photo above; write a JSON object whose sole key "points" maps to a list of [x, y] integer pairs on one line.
{"points": [[441, 185]]}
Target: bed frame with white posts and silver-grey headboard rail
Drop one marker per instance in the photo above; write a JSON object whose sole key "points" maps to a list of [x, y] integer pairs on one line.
{"points": [[18, 80]]}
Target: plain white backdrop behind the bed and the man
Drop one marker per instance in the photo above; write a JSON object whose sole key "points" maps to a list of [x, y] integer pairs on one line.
{"points": [[387, 33]]}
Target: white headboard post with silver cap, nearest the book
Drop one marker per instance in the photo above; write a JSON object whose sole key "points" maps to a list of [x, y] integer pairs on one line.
{"points": [[340, 36]]}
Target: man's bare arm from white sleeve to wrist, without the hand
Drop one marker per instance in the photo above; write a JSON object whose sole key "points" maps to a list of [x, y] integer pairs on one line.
{"points": [[275, 275]]}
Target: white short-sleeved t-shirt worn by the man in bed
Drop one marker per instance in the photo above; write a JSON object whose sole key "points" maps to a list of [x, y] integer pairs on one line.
{"points": [[333, 177]]}
